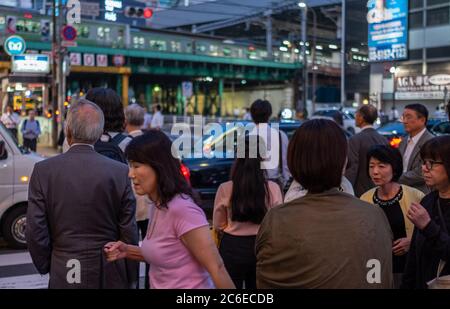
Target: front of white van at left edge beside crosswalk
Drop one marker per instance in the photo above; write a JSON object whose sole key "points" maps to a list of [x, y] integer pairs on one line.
{"points": [[16, 166]]}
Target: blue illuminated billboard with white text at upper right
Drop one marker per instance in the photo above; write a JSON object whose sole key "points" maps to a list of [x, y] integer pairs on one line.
{"points": [[388, 30]]}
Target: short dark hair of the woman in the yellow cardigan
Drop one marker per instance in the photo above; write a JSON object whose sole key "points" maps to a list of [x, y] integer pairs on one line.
{"points": [[388, 155]]}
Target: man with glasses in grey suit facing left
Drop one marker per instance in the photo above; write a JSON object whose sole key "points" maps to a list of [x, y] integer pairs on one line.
{"points": [[415, 117]]}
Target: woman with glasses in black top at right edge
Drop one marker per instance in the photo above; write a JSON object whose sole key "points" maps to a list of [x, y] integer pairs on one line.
{"points": [[431, 242]]}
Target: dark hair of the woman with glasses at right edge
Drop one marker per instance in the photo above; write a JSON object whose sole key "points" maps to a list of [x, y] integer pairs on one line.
{"points": [[437, 149]]}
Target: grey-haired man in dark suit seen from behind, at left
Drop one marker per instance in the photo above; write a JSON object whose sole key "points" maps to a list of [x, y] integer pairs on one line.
{"points": [[78, 201]]}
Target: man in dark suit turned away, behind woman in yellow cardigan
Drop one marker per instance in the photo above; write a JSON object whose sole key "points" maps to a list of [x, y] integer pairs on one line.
{"points": [[358, 146]]}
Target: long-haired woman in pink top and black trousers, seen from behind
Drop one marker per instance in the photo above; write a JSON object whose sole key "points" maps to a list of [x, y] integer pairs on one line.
{"points": [[239, 208]]}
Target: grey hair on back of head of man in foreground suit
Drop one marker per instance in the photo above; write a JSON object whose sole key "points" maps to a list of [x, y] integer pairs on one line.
{"points": [[85, 121]]}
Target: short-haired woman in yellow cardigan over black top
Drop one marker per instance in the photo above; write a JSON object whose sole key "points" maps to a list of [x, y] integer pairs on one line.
{"points": [[385, 168]]}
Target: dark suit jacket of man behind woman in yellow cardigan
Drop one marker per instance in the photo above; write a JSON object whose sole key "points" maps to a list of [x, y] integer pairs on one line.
{"points": [[358, 146]]}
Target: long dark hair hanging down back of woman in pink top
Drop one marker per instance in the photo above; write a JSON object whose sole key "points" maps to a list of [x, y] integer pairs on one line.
{"points": [[250, 195]]}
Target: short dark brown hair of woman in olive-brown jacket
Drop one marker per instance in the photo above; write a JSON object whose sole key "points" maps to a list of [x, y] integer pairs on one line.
{"points": [[317, 154]]}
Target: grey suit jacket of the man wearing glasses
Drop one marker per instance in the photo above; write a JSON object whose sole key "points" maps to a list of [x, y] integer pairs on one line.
{"points": [[413, 176]]}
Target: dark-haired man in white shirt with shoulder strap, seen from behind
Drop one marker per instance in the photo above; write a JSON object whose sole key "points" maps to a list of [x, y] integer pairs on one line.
{"points": [[278, 171]]}
